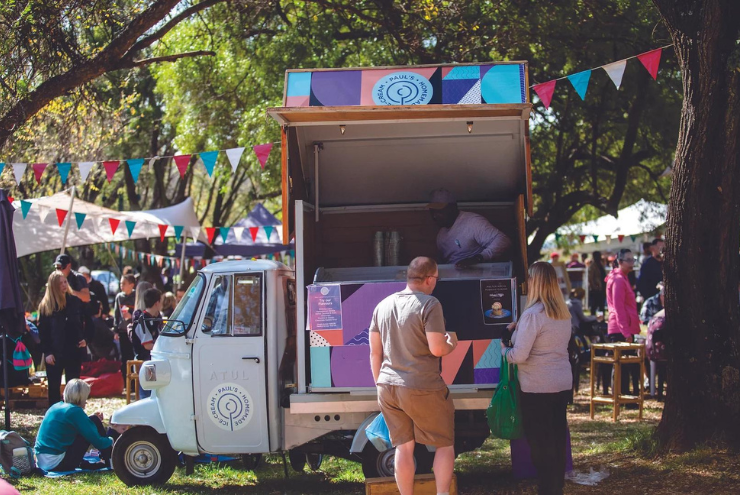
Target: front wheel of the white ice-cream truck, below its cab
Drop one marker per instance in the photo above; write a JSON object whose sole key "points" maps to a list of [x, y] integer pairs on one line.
{"points": [[143, 457]]}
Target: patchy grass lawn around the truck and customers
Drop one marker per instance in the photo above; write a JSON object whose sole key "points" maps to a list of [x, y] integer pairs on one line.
{"points": [[622, 448]]}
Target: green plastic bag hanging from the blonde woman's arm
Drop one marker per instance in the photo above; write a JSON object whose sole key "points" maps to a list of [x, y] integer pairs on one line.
{"points": [[504, 414]]}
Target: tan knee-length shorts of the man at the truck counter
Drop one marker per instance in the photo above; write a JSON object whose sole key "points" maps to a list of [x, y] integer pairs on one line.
{"points": [[426, 416]]}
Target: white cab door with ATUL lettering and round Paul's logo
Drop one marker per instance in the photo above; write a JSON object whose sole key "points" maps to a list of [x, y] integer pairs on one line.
{"points": [[229, 367]]}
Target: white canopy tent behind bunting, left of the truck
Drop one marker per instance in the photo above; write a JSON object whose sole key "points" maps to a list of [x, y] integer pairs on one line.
{"points": [[40, 230]]}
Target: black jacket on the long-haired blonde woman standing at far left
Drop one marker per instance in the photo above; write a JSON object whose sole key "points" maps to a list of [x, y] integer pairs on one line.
{"points": [[61, 332]]}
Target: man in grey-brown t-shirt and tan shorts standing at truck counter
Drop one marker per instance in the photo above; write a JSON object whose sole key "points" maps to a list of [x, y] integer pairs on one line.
{"points": [[407, 340]]}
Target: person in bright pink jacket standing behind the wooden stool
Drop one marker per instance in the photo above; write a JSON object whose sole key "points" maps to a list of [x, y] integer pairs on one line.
{"points": [[624, 322]]}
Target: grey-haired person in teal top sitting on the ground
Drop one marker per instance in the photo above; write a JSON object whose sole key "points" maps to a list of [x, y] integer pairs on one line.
{"points": [[66, 433]]}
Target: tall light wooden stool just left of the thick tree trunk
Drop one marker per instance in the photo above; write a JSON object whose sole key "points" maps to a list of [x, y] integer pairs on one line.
{"points": [[618, 358]]}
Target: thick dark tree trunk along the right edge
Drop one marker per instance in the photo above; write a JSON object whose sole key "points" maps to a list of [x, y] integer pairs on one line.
{"points": [[703, 228]]}
